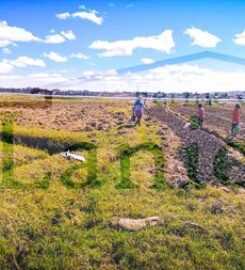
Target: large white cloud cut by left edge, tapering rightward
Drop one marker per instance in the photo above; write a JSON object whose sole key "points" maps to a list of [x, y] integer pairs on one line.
{"points": [[9, 35]]}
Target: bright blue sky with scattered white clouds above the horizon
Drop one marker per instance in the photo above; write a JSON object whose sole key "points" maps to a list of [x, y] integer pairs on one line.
{"points": [[71, 44]]}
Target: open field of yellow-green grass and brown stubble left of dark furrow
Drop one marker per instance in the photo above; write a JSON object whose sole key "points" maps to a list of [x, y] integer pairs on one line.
{"points": [[55, 215]]}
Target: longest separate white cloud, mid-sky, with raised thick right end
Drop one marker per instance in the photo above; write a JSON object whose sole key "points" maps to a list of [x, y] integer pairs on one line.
{"points": [[163, 43]]}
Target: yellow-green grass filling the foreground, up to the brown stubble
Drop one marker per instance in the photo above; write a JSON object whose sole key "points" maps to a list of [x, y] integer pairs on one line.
{"points": [[56, 221]]}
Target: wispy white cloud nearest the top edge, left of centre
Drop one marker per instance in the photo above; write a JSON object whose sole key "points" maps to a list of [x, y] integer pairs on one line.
{"points": [[85, 14]]}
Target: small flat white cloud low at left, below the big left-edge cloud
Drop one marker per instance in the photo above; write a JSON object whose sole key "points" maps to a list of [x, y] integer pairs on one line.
{"points": [[25, 61]]}
